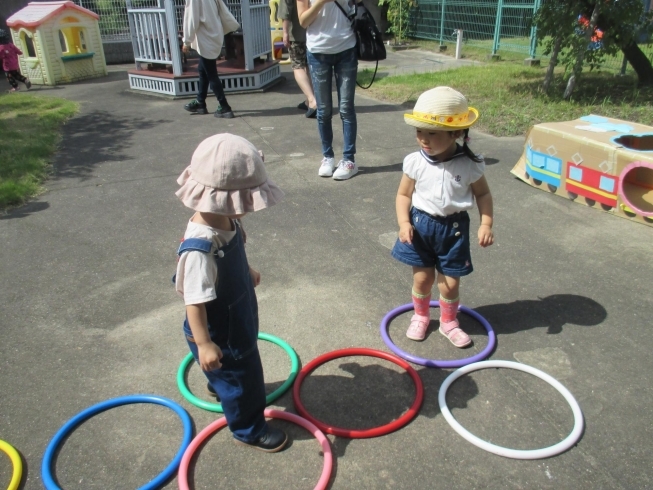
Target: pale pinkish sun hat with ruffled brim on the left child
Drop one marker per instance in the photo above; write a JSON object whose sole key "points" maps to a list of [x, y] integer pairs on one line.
{"points": [[227, 176]]}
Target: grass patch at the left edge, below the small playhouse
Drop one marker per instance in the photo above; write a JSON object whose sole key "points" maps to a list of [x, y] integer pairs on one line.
{"points": [[30, 128]]}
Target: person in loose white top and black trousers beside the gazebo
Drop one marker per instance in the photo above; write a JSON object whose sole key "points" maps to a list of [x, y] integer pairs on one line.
{"points": [[204, 33]]}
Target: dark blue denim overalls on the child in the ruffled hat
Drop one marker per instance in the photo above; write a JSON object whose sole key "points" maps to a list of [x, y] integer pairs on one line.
{"points": [[233, 326]]}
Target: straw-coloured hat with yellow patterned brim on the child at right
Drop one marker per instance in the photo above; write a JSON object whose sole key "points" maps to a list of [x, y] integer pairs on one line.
{"points": [[442, 108]]}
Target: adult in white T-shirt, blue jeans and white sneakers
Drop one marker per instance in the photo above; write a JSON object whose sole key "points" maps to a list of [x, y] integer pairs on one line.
{"points": [[331, 43]]}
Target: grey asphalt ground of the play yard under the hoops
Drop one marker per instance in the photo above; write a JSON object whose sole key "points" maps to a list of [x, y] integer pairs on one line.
{"points": [[89, 313]]}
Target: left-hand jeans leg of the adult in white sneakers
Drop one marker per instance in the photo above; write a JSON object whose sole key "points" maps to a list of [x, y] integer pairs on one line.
{"points": [[321, 71]]}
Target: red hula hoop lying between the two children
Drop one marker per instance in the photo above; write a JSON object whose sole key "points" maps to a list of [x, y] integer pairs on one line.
{"points": [[352, 433]]}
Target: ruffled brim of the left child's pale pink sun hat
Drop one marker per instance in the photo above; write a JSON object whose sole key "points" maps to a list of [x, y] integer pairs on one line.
{"points": [[199, 197]]}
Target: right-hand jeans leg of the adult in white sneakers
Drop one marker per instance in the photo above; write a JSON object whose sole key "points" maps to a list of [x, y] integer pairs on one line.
{"points": [[346, 69]]}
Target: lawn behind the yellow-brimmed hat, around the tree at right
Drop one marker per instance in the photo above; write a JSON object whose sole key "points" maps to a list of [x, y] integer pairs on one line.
{"points": [[509, 98]]}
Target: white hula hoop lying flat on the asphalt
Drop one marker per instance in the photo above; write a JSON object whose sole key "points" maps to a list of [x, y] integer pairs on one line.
{"points": [[562, 446]]}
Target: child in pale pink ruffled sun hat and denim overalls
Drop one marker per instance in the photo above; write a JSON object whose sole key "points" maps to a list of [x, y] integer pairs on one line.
{"points": [[225, 180]]}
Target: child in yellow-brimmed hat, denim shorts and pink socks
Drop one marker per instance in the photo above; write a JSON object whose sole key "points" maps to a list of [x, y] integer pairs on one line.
{"points": [[440, 183]]}
